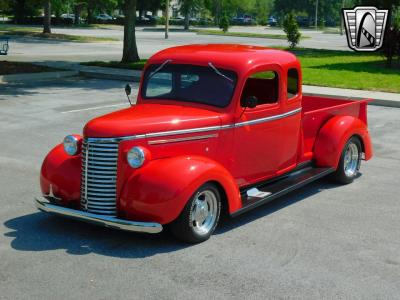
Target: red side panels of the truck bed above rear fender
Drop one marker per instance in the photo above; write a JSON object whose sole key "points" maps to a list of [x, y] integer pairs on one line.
{"points": [[318, 110]]}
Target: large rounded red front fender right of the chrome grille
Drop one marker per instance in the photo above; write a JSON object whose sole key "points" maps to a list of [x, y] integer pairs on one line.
{"points": [[159, 190]]}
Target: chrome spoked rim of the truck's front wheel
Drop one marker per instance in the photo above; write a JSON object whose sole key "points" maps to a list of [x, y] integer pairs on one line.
{"points": [[204, 212]]}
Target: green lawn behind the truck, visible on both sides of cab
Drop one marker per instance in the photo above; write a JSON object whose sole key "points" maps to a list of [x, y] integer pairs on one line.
{"points": [[342, 69]]}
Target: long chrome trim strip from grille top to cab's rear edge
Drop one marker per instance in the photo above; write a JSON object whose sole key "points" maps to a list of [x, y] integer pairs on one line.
{"points": [[194, 130]]}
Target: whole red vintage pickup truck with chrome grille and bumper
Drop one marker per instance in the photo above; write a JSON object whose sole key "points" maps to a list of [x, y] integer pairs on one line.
{"points": [[215, 129]]}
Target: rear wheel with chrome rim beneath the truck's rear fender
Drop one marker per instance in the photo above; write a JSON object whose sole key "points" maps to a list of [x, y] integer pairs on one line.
{"points": [[349, 163]]}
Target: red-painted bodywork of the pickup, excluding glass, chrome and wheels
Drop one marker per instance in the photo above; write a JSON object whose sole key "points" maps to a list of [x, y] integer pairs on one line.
{"points": [[236, 157]]}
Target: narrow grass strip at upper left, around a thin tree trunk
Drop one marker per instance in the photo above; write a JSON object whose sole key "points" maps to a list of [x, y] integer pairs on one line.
{"points": [[37, 32]]}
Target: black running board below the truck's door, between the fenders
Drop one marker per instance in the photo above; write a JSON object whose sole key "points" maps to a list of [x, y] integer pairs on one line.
{"points": [[264, 193]]}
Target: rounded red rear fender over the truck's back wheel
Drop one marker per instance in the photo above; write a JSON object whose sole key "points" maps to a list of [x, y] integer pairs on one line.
{"points": [[333, 136]]}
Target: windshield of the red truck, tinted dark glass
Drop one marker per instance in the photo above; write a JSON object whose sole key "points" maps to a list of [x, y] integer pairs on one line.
{"points": [[189, 83]]}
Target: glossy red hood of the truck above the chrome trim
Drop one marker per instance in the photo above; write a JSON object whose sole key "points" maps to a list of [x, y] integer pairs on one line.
{"points": [[149, 118]]}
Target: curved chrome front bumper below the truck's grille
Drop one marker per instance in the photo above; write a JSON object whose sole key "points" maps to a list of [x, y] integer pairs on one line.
{"points": [[44, 205]]}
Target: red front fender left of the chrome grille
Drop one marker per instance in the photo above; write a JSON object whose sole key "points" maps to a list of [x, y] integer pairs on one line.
{"points": [[63, 173]]}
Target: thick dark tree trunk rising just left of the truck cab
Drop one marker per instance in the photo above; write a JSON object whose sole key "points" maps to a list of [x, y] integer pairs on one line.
{"points": [[130, 53]]}
